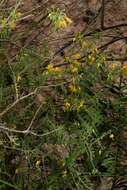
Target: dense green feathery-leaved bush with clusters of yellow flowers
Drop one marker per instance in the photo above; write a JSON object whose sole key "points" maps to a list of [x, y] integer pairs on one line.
{"points": [[61, 125]]}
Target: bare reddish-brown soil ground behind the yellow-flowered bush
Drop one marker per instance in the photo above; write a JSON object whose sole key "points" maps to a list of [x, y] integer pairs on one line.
{"points": [[86, 16]]}
